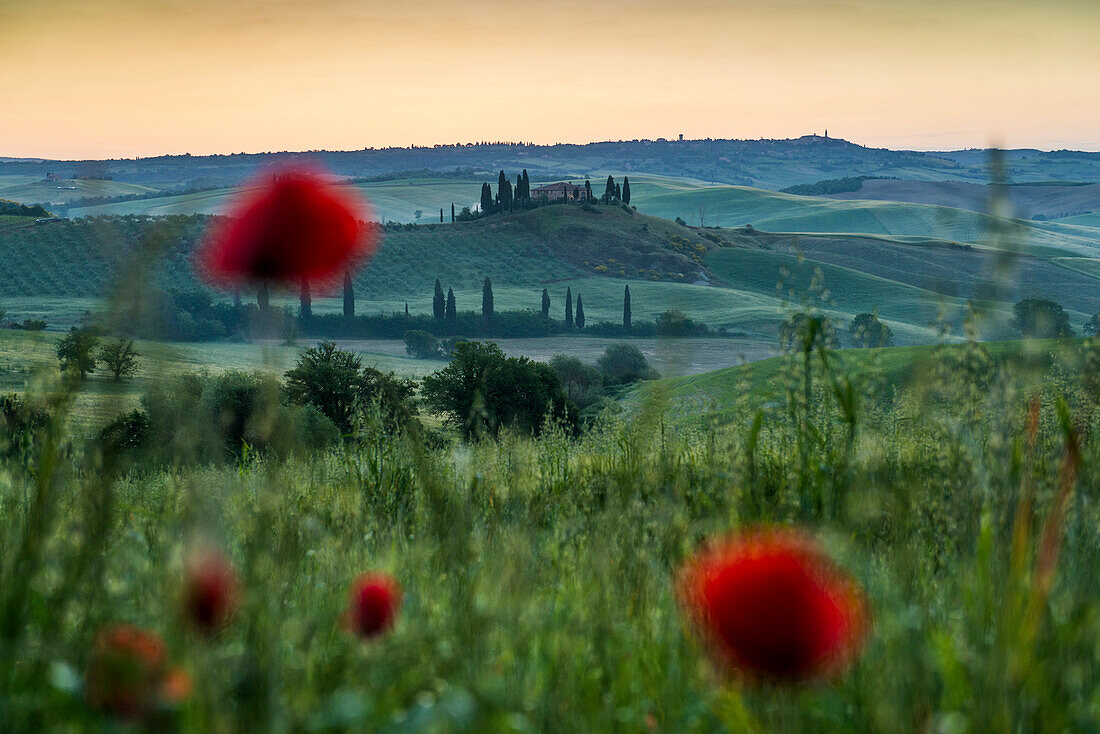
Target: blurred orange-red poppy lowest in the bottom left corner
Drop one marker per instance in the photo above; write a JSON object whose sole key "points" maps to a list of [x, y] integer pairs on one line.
{"points": [[128, 675]]}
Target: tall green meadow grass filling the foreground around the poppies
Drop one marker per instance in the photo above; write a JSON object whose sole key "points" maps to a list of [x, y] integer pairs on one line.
{"points": [[540, 575]]}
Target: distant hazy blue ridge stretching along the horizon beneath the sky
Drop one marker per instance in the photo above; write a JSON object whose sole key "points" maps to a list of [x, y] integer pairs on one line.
{"points": [[763, 163]]}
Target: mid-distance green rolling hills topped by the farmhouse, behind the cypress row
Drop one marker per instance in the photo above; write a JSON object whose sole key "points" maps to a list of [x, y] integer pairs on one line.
{"points": [[739, 279]]}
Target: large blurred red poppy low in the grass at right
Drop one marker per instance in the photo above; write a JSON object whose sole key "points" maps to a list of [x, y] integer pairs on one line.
{"points": [[773, 606]]}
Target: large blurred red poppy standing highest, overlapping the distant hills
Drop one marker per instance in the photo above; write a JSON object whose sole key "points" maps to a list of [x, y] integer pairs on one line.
{"points": [[291, 228]]}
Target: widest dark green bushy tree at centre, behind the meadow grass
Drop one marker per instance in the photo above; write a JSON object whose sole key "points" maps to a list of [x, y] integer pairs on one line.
{"points": [[482, 391]]}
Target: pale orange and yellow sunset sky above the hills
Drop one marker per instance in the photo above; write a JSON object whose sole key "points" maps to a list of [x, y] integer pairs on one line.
{"points": [[90, 79]]}
